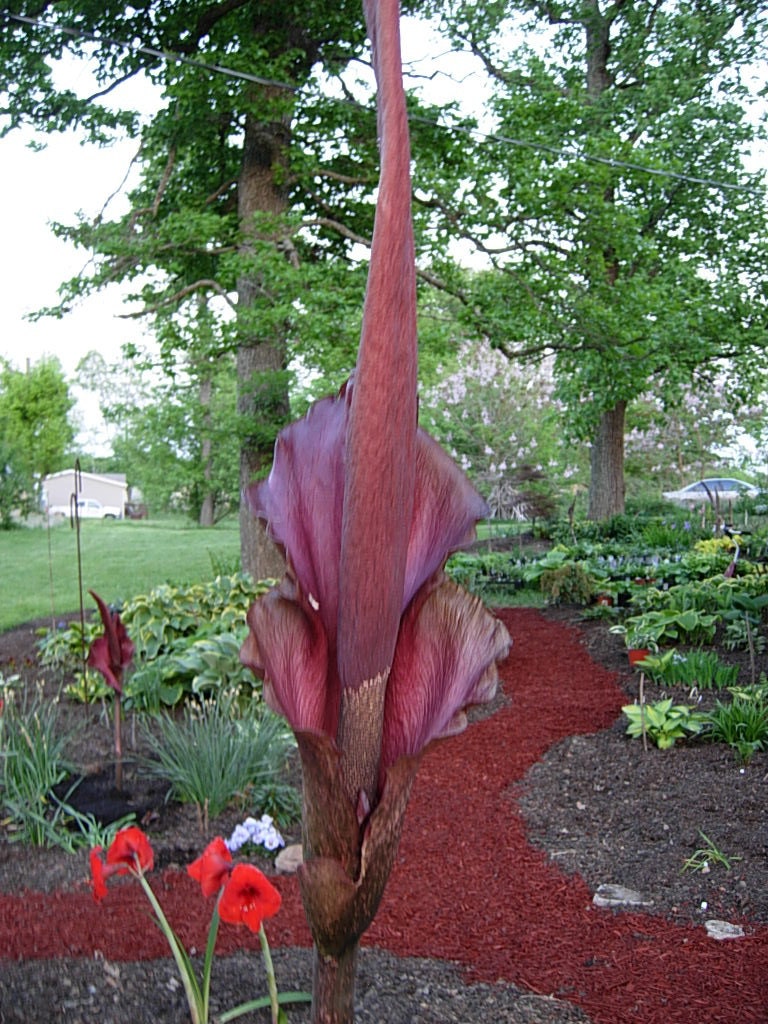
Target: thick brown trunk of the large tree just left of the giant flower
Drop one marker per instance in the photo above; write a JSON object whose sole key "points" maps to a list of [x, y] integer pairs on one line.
{"points": [[260, 359]]}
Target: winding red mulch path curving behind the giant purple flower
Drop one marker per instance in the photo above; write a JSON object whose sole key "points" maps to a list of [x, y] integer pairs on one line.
{"points": [[467, 887]]}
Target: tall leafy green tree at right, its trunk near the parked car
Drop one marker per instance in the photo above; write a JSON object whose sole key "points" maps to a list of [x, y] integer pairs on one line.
{"points": [[614, 202]]}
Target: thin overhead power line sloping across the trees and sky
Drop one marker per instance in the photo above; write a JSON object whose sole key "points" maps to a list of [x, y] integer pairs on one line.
{"points": [[568, 154]]}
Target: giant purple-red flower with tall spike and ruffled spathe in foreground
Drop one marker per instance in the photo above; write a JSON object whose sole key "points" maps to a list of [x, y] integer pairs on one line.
{"points": [[366, 647]]}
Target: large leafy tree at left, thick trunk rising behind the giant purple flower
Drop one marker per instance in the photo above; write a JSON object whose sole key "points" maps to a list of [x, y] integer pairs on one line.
{"points": [[243, 170]]}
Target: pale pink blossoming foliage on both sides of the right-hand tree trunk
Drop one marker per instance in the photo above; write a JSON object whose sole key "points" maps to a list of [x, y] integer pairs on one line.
{"points": [[500, 419]]}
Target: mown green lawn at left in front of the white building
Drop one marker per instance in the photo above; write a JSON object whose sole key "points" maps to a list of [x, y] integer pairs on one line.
{"points": [[120, 560]]}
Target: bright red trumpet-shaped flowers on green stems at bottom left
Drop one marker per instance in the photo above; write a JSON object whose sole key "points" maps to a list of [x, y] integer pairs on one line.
{"points": [[244, 898]]}
